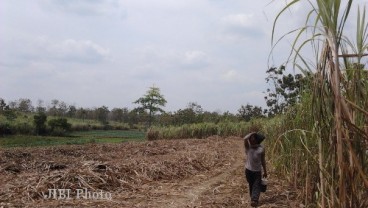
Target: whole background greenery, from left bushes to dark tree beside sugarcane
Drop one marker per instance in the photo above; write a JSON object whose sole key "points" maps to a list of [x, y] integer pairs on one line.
{"points": [[283, 92]]}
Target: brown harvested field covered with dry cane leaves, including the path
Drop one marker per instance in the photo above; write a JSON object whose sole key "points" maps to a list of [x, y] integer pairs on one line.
{"points": [[165, 173]]}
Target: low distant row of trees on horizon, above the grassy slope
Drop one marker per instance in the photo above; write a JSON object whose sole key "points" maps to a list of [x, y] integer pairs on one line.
{"points": [[192, 113]]}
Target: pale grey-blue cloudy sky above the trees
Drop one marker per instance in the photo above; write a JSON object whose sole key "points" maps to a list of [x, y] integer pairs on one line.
{"points": [[91, 53]]}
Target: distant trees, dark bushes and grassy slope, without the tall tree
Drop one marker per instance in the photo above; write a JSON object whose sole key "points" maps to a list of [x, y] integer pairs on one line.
{"points": [[59, 119]]}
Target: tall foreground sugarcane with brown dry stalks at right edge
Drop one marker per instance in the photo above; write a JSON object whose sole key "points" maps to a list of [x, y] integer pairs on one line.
{"points": [[339, 98]]}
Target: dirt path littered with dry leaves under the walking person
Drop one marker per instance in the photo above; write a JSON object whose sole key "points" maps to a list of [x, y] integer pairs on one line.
{"points": [[225, 188]]}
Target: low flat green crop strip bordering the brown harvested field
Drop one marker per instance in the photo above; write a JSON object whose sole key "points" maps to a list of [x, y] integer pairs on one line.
{"points": [[83, 137]]}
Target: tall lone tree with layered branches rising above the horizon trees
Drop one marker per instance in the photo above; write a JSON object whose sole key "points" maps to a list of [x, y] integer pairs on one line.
{"points": [[151, 102]]}
